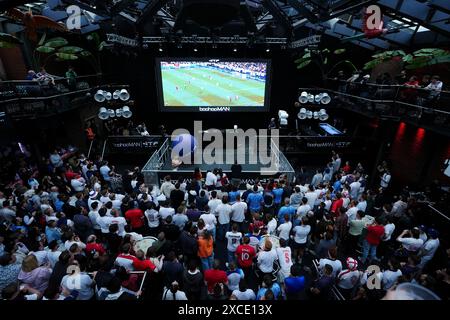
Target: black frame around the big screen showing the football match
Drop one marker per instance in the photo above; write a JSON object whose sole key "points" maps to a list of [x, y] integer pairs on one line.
{"points": [[160, 95]]}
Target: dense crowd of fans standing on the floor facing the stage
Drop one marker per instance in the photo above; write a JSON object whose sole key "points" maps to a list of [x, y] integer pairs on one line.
{"points": [[71, 229]]}
